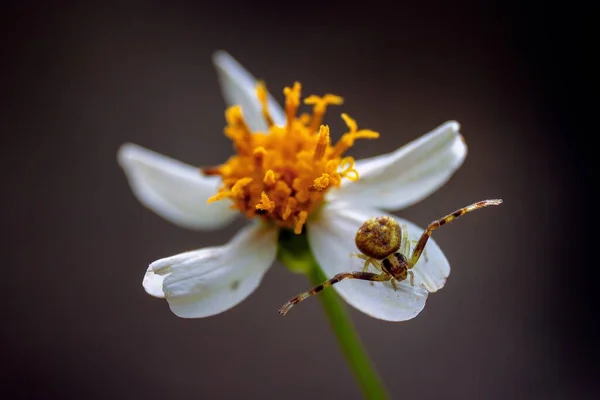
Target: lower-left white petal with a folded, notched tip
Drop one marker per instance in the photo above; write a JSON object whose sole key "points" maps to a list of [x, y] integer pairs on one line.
{"points": [[212, 280]]}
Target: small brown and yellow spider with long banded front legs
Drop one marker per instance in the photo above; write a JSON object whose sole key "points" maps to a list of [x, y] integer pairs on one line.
{"points": [[383, 244]]}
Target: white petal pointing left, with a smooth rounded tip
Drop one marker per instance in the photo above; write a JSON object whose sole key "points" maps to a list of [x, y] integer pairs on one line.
{"points": [[174, 190]]}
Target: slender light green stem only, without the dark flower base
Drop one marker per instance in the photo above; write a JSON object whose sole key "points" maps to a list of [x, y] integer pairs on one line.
{"points": [[349, 341]]}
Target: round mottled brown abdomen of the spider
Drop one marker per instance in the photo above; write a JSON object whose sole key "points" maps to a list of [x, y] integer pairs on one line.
{"points": [[378, 237]]}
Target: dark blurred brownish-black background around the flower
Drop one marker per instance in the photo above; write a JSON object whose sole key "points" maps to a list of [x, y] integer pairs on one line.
{"points": [[517, 316]]}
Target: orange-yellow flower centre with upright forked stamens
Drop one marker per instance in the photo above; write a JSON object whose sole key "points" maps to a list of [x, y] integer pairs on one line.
{"points": [[283, 175]]}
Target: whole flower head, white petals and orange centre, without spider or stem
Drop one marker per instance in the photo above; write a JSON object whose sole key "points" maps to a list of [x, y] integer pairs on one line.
{"points": [[211, 280]]}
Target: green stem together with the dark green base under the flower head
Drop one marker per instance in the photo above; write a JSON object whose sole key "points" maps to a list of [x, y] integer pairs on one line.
{"points": [[294, 252]]}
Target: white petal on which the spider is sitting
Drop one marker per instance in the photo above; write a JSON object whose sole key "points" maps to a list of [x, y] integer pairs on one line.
{"points": [[331, 238]]}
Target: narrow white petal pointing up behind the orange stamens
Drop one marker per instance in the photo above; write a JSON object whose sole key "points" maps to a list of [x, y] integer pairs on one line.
{"points": [[239, 87]]}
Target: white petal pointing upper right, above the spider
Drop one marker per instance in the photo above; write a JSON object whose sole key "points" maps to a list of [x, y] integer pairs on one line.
{"points": [[396, 180]]}
